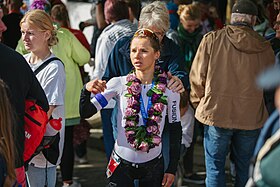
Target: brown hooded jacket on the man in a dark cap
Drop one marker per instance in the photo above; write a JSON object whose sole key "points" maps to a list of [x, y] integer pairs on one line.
{"points": [[222, 77]]}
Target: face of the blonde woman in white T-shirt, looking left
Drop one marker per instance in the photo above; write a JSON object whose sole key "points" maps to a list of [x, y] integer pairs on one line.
{"points": [[33, 38]]}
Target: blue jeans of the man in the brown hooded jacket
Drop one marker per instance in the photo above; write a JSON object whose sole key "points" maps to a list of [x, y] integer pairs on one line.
{"points": [[216, 147]]}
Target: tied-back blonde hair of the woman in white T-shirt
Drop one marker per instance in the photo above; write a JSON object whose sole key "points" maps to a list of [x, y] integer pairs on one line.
{"points": [[42, 21]]}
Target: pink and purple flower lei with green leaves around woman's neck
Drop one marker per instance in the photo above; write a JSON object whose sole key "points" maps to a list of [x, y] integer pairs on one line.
{"points": [[145, 137]]}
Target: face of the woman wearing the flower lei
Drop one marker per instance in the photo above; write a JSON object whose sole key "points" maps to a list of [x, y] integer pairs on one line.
{"points": [[142, 55]]}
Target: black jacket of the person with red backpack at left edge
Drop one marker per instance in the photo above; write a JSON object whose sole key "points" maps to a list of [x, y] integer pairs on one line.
{"points": [[23, 84]]}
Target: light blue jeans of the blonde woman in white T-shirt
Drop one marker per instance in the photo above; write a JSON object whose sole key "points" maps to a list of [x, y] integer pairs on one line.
{"points": [[37, 176]]}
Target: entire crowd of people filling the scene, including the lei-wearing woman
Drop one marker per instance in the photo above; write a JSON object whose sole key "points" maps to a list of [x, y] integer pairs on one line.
{"points": [[164, 74]]}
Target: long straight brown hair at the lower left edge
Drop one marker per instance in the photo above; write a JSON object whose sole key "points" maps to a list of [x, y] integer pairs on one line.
{"points": [[7, 147]]}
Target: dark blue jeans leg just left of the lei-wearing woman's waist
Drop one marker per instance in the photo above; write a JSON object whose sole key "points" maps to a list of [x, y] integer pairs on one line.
{"points": [[107, 128]]}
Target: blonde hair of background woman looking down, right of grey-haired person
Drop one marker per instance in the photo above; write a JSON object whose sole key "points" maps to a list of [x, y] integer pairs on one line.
{"points": [[189, 12]]}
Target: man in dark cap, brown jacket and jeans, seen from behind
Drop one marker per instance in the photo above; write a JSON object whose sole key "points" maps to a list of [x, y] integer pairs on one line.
{"points": [[224, 93]]}
